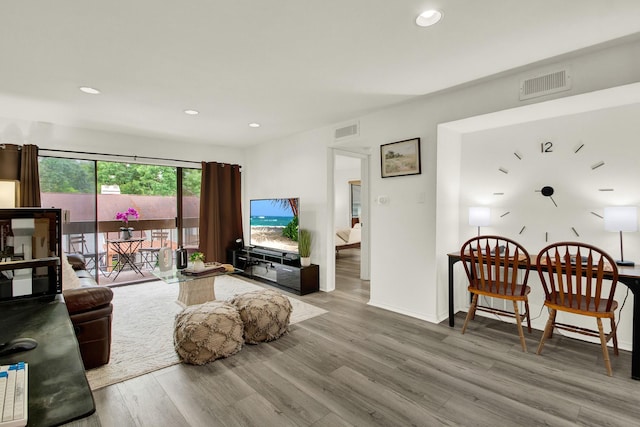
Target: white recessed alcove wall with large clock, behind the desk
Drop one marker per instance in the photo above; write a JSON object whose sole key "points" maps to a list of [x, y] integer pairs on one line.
{"points": [[604, 135]]}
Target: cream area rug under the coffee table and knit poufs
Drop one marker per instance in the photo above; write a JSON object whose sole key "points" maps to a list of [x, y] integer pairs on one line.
{"points": [[142, 329]]}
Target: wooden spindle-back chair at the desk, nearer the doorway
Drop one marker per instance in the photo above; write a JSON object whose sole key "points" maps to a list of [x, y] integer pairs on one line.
{"points": [[492, 264]]}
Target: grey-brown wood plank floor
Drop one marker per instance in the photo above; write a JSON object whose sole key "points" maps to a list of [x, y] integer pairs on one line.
{"points": [[362, 366]]}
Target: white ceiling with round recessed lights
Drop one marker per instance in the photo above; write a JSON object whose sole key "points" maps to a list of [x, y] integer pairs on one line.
{"points": [[289, 65]]}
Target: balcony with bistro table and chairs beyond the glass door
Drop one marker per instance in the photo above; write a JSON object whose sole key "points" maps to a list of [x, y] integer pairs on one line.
{"points": [[111, 261]]}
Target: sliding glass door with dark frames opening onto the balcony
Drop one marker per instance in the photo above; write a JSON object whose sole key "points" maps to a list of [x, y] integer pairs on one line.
{"points": [[163, 203]]}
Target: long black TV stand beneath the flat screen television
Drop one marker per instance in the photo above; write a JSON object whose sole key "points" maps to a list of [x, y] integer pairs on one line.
{"points": [[280, 269]]}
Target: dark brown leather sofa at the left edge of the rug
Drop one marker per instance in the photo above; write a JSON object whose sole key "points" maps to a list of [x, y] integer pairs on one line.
{"points": [[90, 310]]}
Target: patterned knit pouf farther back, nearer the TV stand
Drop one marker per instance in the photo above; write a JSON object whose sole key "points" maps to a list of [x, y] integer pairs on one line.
{"points": [[265, 314]]}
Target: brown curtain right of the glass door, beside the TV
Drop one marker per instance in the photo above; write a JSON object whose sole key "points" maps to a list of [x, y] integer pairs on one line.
{"points": [[220, 210]]}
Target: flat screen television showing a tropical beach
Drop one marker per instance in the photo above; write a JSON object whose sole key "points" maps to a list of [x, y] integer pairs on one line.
{"points": [[274, 224]]}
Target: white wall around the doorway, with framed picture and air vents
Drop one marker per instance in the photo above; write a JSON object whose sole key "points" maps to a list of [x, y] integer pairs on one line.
{"points": [[408, 252]]}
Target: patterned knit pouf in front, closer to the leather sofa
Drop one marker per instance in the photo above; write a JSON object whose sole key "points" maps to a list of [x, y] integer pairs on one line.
{"points": [[206, 332]]}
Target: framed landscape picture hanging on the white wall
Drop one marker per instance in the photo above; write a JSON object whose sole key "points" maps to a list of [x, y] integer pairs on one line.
{"points": [[400, 158]]}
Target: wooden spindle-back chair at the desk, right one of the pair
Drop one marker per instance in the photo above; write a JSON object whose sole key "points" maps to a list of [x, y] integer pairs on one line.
{"points": [[574, 277]]}
